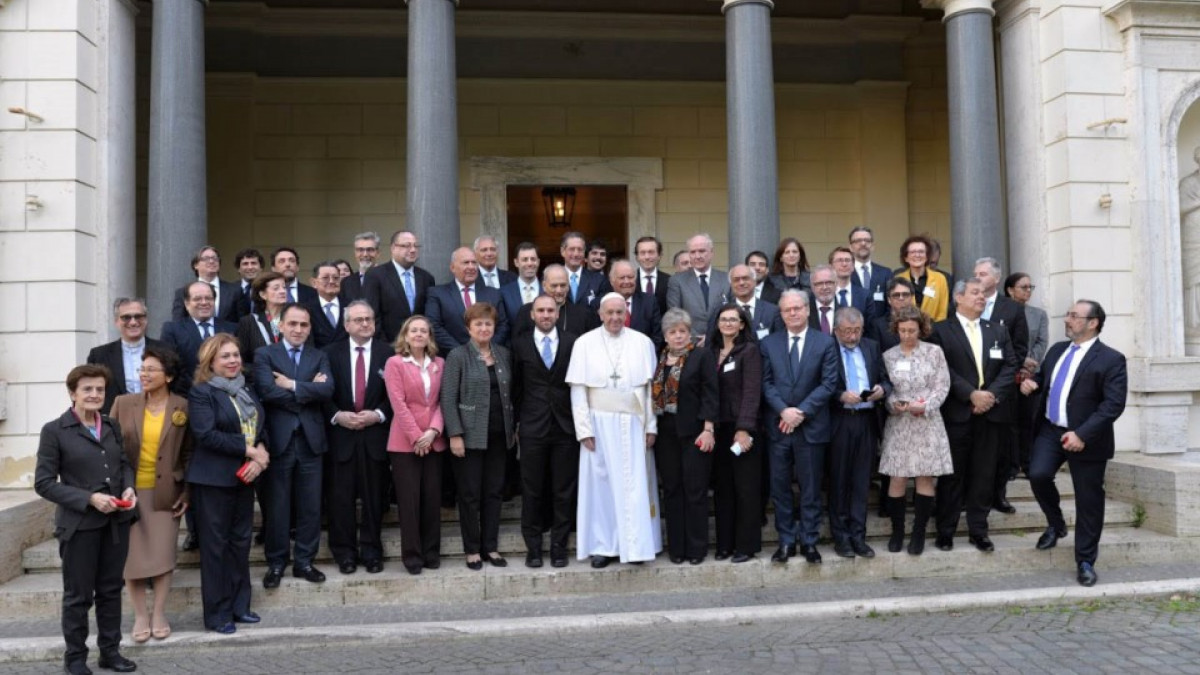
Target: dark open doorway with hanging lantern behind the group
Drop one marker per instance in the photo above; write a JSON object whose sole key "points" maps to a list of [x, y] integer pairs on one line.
{"points": [[602, 212]]}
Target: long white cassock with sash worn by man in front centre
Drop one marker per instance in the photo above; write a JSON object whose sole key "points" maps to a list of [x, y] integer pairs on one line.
{"points": [[619, 504]]}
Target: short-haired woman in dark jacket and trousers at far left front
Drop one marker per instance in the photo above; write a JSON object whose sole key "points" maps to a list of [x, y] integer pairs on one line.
{"points": [[82, 468]]}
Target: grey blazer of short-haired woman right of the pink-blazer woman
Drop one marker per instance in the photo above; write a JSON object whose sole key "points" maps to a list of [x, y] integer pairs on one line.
{"points": [[467, 396]]}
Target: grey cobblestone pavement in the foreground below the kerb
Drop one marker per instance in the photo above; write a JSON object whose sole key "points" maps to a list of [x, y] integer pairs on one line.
{"points": [[1159, 636]]}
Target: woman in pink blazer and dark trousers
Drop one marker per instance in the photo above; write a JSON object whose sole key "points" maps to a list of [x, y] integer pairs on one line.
{"points": [[415, 384]]}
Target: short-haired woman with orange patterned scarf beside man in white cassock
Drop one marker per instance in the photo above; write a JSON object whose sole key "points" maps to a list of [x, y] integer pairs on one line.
{"points": [[686, 401]]}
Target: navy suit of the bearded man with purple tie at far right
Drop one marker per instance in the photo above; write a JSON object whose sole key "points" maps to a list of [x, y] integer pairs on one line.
{"points": [[1095, 402]]}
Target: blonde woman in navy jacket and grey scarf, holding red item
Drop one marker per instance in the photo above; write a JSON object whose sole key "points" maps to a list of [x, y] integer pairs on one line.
{"points": [[229, 456]]}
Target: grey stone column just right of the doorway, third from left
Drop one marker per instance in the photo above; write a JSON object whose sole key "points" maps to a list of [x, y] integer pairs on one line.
{"points": [[751, 110]]}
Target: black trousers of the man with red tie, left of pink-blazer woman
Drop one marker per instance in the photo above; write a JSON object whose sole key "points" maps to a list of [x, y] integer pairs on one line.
{"points": [[358, 479]]}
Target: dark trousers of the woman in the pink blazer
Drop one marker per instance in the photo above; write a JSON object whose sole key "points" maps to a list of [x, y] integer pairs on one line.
{"points": [[418, 482]]}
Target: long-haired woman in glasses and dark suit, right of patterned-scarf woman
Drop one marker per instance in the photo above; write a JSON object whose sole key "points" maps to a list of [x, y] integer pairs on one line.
{"points": [[737, 492]]}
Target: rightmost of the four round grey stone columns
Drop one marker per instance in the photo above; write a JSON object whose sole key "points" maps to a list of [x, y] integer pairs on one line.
{"points": [[979, 225]]}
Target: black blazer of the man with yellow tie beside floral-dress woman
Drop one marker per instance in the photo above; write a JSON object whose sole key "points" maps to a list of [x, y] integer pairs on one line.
{"points": [[999, 374]]}
